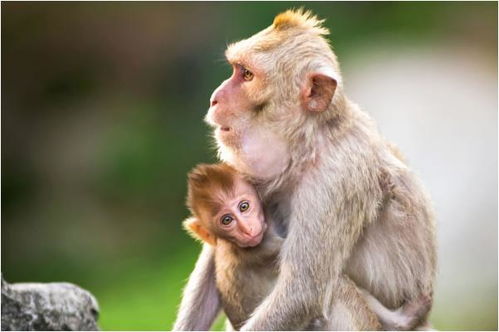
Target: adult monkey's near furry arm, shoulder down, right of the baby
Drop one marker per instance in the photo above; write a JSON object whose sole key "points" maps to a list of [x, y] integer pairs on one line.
{"points": [[327, 217]]}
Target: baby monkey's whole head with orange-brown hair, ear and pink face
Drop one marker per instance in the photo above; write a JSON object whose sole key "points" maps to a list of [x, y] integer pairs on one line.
{"points": [[224, 206]]}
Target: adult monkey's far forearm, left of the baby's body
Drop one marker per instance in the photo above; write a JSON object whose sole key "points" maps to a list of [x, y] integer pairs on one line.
{"points": [[201, 302]]}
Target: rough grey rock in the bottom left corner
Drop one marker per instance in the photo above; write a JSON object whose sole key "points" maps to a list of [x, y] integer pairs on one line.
{"points": [[48, 306]]}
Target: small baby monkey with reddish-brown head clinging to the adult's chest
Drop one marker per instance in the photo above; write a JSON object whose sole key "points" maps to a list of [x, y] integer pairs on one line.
{"points": [[228, 214]]}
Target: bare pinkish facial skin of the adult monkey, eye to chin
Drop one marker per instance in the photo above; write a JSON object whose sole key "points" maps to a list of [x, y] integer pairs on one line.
{"points": [[253, 149]]}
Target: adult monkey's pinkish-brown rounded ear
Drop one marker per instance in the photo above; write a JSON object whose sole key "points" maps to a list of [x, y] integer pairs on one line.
{"points": [[318, 91]]}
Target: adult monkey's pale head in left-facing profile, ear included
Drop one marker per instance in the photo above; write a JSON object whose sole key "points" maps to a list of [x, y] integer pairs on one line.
{"points": [[277, 94]]}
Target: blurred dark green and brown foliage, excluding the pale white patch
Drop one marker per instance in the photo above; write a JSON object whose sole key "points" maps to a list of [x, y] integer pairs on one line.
{"points": [[102, 108]]}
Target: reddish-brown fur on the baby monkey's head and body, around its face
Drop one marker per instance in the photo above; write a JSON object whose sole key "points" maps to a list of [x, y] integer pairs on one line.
{"points": [[244, 276]]}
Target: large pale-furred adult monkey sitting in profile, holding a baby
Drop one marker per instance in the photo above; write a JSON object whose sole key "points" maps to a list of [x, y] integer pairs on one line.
{"points": [[352, 212]]}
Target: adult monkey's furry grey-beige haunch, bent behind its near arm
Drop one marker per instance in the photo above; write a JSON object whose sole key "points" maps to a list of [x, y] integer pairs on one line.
{"points": [[394, 261]]}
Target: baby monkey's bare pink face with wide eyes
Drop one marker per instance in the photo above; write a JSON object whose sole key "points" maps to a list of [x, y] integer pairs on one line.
{"points": [[240, 218]]}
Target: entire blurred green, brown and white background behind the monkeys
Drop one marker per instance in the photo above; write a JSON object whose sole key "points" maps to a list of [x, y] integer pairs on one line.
{"points": [[102, 108]]}
